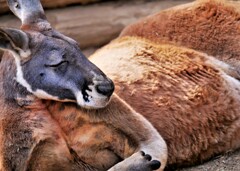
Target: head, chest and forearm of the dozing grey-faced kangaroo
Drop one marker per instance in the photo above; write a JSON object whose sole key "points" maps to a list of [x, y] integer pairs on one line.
{"points": [[42, 69]]}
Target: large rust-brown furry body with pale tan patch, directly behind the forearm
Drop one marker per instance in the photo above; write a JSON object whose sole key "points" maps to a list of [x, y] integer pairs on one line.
{"points": [[185, 96]]}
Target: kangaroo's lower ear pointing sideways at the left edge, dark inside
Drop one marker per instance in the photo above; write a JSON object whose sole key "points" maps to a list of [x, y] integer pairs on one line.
{"points": [[15, 41]]}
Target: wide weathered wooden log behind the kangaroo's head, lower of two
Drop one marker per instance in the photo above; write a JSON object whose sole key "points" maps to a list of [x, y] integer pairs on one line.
{"points": [[97, 24]]}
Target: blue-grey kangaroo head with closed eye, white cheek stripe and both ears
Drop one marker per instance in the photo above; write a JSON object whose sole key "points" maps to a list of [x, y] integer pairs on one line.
{"points": [[51, 65]]}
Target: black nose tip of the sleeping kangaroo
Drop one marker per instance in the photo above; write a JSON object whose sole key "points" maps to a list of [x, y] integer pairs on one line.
{"points": [[105, 88]]}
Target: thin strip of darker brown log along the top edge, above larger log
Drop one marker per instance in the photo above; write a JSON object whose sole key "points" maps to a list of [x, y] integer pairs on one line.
{"points": [[49, 3]]}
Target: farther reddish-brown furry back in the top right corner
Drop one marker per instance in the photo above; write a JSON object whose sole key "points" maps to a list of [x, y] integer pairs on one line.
{"points": [[212, 27]]}
